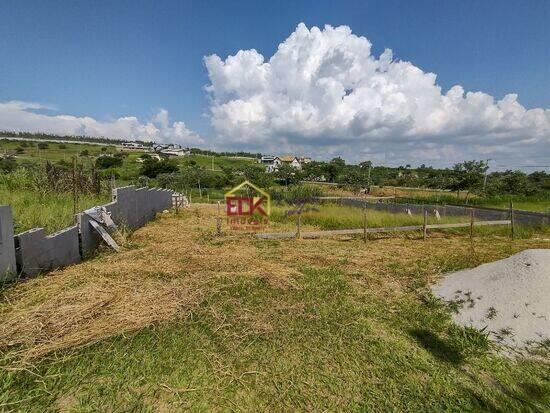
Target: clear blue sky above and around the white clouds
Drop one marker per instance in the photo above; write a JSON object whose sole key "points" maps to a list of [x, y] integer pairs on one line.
{"points": [[107, 59]]}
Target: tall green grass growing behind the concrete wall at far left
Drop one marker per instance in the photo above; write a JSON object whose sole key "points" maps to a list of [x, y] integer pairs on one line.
{"points": [[52, 211]]}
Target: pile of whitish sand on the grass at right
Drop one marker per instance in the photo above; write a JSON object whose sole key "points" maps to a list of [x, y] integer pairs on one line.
{"points": [[509, 299]]}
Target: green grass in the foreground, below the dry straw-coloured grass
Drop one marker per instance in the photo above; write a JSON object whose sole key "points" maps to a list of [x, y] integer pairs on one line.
{"points": [[324, 346]]}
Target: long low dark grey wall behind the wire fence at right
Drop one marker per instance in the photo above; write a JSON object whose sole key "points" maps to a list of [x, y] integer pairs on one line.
{"points": [[485, 214]]}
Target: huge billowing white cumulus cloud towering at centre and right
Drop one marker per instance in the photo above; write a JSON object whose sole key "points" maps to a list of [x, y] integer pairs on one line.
{"points": [[324, 93]]}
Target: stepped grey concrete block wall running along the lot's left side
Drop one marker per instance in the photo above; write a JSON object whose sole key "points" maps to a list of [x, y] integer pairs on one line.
{"points": [[32, 252]]}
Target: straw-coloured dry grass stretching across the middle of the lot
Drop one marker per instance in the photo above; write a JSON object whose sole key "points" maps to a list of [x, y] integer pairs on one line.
{"points": [[165, 269]]}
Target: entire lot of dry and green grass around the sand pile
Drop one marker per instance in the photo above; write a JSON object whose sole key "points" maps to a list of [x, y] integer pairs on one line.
{"points": [[182, 320]]}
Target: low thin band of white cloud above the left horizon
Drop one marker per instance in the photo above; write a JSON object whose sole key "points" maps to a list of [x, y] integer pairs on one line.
{"points": [[27, 116]]}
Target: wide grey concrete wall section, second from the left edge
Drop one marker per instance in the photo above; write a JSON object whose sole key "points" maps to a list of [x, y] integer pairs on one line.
{"points": [[37, 253]]}
